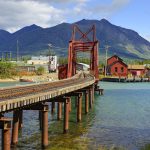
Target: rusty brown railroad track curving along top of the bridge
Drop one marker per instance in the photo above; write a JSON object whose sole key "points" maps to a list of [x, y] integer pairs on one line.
{"points": [[10, 93]]}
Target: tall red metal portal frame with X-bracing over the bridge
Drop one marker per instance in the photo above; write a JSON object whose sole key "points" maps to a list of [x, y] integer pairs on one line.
{"points": [[85, 43]]}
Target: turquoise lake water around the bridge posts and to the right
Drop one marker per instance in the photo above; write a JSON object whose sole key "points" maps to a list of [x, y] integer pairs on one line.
{"points": [[120, 118]]}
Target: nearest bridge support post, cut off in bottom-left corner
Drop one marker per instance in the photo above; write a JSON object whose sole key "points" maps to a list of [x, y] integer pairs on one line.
{"points": [[5, 125]]}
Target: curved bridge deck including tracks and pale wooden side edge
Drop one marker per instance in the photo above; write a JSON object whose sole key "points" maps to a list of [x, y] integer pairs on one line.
{"points": [[12, 98]]}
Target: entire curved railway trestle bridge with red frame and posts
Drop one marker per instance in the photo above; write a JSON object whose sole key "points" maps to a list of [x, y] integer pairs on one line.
{"points": [[37, 96]]}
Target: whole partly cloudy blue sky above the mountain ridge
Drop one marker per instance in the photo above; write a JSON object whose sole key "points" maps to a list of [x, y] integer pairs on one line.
{"points": [[131, 14]]}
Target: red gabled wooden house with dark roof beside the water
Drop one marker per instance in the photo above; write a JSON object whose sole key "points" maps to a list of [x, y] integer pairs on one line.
{"points": [[116, 66]]}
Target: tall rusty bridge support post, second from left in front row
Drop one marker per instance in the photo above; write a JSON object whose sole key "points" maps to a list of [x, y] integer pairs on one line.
{"points": [[44, 113]]}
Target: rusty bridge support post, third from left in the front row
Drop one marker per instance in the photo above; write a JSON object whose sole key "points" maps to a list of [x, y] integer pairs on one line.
{"points": [[66, 115]]}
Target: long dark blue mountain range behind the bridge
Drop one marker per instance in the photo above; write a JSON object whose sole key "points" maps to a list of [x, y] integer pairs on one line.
{"points": [[33, 39]]}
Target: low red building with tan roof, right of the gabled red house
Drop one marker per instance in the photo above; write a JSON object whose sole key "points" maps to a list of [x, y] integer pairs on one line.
{"points": [[136, 70]]}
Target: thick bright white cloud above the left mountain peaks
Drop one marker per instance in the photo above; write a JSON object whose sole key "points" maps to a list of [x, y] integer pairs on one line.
{"points": [[16, 14]]}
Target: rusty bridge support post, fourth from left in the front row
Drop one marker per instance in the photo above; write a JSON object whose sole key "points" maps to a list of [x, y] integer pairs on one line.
{"points": [[79, 107]]}
